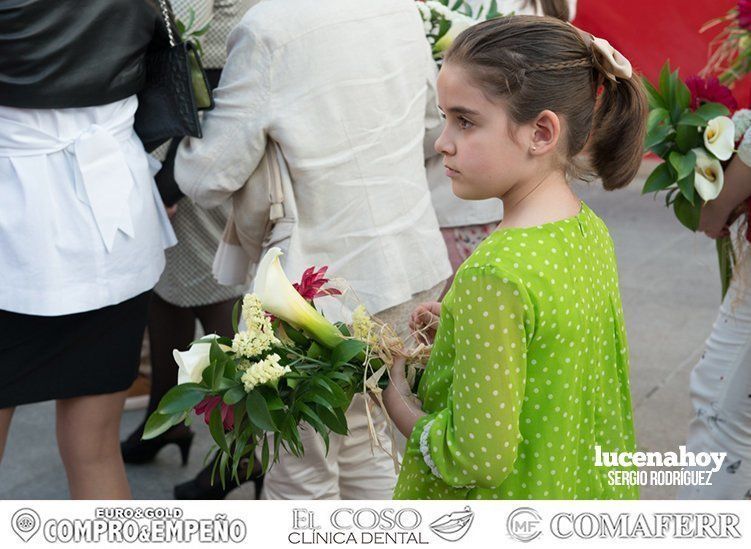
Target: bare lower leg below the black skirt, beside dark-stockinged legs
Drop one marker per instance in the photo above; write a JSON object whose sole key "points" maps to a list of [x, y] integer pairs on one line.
{"points": [[88, 435]]}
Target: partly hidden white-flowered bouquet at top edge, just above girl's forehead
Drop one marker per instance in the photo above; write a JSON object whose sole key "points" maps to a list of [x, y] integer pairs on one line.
{"points": [[444, 20]]}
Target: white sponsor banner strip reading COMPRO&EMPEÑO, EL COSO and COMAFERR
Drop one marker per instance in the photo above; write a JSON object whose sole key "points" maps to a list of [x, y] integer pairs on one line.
{"points": [[272, 524]]}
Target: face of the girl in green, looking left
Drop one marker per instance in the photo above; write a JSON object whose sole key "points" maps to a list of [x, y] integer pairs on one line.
{"points": [[480, 157]]}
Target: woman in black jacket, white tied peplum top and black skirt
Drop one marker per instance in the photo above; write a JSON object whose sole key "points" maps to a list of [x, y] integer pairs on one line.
{"points": [[82, 230]]}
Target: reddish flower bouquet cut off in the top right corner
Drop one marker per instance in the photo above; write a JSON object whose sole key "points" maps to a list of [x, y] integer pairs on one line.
{"points": [[730, 51]]}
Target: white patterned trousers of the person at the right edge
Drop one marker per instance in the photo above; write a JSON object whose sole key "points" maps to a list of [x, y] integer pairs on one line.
{"points": [[721, 395]]}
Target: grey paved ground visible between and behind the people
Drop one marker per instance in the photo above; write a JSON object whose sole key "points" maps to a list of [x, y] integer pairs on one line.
{"points": [[670, 291]]}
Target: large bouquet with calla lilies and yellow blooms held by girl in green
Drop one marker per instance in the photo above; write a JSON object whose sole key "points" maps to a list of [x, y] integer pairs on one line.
{"points": [[287, 365]]}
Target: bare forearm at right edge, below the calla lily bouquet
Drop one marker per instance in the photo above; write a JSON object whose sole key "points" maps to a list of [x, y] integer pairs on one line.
{"points": [[715, 214]]}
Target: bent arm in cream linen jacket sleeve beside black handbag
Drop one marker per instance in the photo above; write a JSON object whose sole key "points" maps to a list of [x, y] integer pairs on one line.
{"points": [[209, 170]]}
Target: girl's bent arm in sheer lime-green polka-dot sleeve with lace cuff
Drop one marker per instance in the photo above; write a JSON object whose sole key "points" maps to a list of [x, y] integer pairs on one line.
{"points": [[474, 441]]}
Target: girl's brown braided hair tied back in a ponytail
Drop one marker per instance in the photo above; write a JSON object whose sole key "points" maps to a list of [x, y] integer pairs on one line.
{"points": [[536, 63]]}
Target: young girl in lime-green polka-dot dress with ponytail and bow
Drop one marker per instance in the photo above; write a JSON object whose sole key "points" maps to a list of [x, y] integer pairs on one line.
{"points": [[529, 368]]}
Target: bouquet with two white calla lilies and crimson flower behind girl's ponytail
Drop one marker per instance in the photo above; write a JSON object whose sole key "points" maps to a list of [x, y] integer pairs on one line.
{"points": [[690, 129]]}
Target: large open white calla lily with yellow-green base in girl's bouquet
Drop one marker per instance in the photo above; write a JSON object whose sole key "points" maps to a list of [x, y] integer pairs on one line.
{"points": [[280, 298]]}
